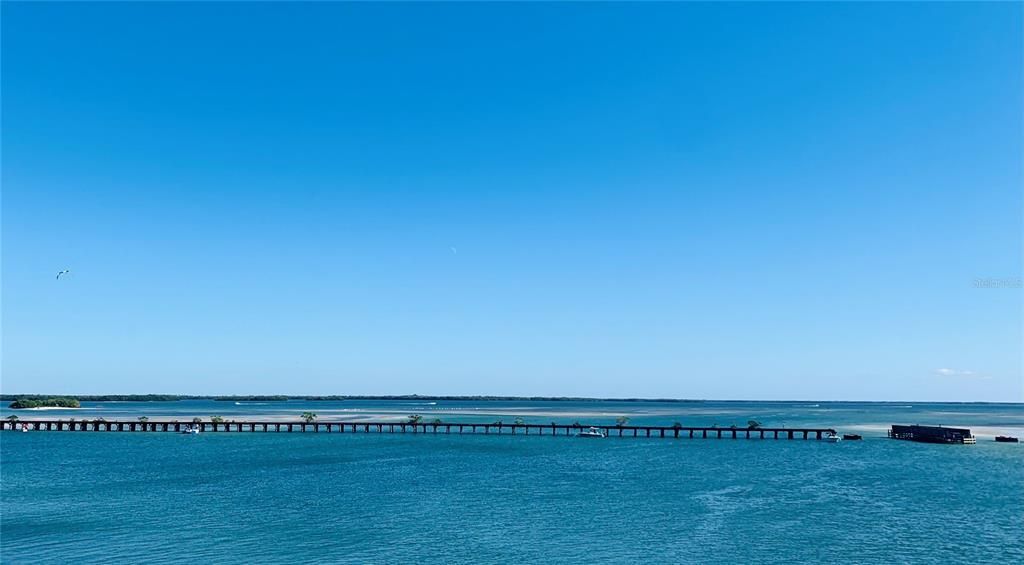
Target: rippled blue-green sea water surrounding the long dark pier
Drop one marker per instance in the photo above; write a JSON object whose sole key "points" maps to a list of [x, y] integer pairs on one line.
{"points": [[351, 498]]}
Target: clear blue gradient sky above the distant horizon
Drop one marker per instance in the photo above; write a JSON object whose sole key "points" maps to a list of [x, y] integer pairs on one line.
{"points": [[694, 201]]}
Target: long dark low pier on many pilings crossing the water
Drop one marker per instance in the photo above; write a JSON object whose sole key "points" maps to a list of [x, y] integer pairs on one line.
{"points": [[415, 428]]}
